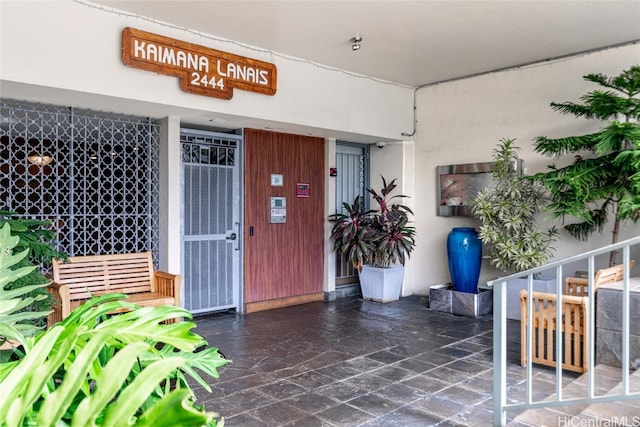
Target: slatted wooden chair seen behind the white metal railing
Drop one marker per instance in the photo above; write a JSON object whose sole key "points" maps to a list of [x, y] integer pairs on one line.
{"points": [[574, 322]]}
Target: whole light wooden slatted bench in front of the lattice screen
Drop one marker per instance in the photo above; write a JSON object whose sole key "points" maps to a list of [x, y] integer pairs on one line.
{"points": [[83, 277]]}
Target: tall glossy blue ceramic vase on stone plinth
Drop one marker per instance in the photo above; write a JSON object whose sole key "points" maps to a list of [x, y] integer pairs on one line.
{"points": [[464, 250]]}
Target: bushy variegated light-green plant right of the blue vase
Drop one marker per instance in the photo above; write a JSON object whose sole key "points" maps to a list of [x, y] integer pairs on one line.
{"points": [[507, 212]]}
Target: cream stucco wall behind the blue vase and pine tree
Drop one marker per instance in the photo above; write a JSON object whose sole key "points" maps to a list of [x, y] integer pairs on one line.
{"points": [[462, 121]]}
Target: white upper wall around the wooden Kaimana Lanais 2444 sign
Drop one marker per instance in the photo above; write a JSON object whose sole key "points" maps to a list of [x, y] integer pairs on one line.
{"points": [[69, 53]]}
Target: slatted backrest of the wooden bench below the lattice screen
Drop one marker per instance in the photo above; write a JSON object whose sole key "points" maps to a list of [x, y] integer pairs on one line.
{"points": [[100, 274]]}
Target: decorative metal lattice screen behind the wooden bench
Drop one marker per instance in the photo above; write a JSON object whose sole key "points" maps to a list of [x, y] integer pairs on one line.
{"points": [[94, 175]]}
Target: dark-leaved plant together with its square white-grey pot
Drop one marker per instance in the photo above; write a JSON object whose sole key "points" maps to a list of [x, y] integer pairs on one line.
{"points": [[376, 242]]}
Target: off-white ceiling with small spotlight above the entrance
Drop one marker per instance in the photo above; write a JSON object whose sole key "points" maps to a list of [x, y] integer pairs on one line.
{"points": [[411, 43]]}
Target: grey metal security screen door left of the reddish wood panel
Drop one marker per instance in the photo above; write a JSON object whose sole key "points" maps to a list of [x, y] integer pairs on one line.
{"points": [[211, 220]]}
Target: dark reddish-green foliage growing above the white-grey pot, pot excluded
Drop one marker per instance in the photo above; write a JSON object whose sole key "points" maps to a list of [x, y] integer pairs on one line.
{"points": [[378, 238]]}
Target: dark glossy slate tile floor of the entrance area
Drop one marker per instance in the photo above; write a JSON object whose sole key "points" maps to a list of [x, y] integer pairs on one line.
{"points": [[351, 362]]}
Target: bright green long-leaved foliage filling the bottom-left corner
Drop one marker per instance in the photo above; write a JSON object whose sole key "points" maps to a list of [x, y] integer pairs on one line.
{"points": [[100, 369]]}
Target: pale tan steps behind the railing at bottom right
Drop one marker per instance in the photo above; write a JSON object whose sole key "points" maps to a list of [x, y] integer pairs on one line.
{"points": [[607, 380]]}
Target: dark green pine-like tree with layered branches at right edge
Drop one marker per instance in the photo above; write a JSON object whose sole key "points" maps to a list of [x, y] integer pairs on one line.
{"points": [[604, 178]]}
